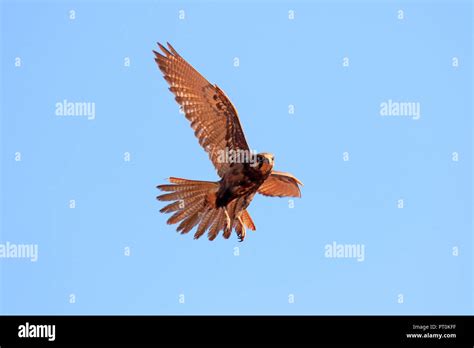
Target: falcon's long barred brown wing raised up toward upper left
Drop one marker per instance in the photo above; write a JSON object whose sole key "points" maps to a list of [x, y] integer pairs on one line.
{"points": [[213, 117]]}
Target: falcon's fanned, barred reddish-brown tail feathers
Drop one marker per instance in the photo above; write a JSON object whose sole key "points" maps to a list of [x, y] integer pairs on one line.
{"points": [[194, 205]]}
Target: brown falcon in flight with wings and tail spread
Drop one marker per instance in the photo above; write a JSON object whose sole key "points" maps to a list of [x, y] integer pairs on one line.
{"points": [[215, 206]]}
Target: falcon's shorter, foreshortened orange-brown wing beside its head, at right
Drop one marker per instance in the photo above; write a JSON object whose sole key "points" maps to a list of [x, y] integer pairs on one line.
{"points": [[280, 184]]}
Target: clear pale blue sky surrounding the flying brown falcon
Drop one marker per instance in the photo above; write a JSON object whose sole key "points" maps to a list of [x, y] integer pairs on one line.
{"points": [[408, 251]]}
